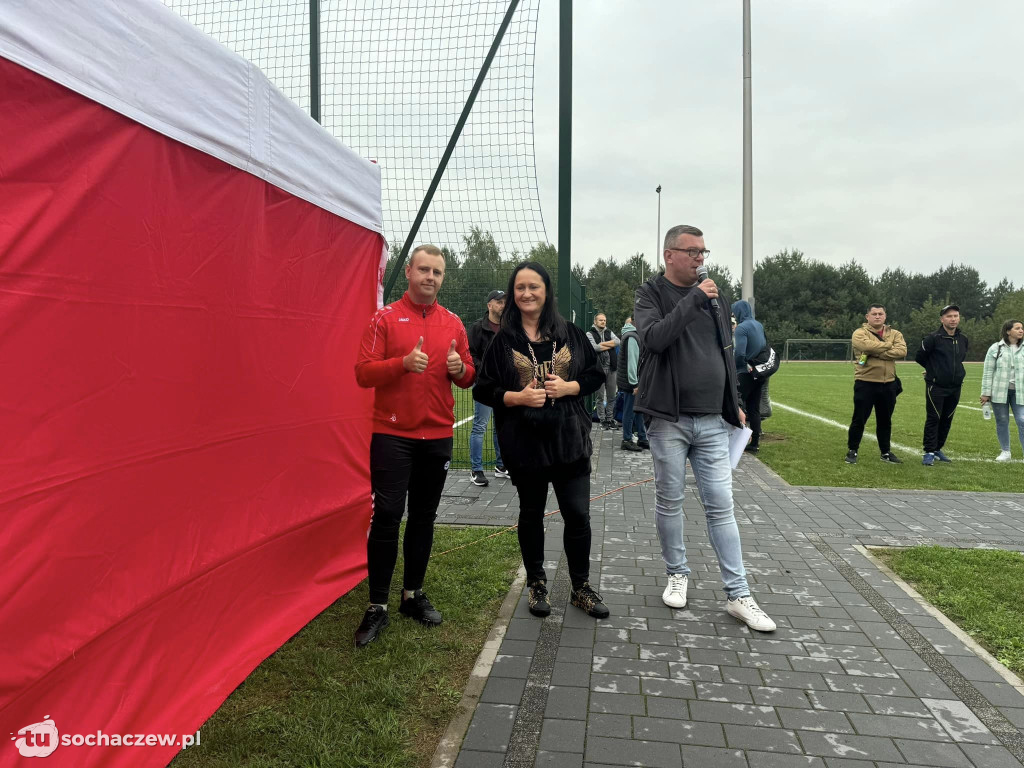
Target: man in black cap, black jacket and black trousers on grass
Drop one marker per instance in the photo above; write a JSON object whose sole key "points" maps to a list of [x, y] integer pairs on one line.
{"points": [[943, 354]]}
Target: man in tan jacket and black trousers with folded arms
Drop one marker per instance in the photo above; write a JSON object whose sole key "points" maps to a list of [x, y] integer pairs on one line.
{"points": [[876, 350]]}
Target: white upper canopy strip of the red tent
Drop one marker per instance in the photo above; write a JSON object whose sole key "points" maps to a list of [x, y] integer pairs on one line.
{"points": [[142, 60]]}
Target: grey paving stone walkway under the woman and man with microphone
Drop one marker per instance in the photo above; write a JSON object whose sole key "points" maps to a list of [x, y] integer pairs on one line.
{"points": [[857, 676]]}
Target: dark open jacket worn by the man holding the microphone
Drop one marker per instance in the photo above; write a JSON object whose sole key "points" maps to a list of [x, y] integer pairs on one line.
{"points": [[663, 364]]}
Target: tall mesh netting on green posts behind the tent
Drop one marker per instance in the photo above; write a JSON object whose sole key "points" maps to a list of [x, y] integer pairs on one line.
{"points": [[394, 78]]}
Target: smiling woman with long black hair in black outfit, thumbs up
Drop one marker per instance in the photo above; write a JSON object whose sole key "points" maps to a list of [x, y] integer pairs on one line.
{"points": [[535, 375]]}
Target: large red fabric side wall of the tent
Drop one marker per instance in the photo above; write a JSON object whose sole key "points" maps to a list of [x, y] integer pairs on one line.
{"points": [[184, 473]]}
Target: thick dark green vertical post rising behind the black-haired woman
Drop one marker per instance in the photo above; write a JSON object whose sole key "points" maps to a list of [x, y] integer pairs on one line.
{"points": [[566, 157]]}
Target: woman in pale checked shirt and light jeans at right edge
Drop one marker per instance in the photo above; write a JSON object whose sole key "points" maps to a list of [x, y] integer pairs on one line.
{"points": [[1003, 376]]}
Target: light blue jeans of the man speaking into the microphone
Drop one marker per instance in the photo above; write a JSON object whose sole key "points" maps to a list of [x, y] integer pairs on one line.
{"points": [[705, 441]]}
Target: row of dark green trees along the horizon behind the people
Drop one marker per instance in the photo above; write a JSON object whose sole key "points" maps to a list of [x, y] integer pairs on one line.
{"points": [[796, 297]]}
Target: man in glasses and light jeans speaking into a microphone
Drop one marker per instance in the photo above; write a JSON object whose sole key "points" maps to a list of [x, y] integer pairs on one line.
{"points": [[689, 391]]}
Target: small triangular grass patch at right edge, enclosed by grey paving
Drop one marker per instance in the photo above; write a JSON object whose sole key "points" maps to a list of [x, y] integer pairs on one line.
{"points": [[980, 590]]}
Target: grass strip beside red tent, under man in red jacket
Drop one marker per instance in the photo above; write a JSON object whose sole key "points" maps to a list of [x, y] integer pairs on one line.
{"points": [[319, 702]]}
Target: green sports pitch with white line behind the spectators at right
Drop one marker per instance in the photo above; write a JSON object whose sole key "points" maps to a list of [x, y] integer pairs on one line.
{"points": [[805, 439]]}
